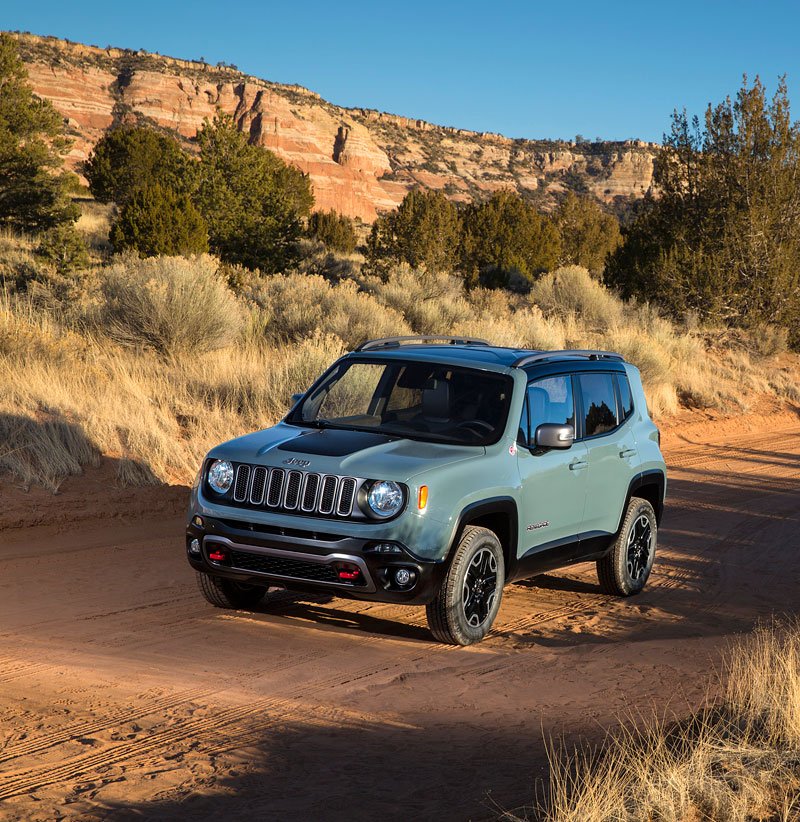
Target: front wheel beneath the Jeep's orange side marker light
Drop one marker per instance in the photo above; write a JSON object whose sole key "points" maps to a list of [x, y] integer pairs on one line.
{"points": [[454, 617]]}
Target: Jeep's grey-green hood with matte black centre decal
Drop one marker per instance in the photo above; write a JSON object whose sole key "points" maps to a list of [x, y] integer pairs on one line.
{"points": [[353, 453]]}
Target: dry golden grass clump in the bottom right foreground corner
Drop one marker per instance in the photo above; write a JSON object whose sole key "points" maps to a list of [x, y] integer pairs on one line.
{"points": [[736, 759]]}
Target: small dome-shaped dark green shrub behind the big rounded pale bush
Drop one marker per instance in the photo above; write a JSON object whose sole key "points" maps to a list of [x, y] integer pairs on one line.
{"points": [[158, 221]]}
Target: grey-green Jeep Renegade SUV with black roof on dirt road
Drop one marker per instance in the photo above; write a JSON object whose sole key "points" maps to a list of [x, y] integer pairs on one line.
{"points": [[433, 471]]}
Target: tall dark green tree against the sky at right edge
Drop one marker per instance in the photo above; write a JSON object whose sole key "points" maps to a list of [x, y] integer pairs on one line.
{"points": [[723, 236]]}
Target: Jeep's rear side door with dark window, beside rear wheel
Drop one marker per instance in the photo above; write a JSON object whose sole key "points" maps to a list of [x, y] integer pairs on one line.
{"points": [[611, 449]]}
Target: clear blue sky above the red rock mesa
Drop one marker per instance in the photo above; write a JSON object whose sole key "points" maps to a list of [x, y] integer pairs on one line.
{"points": [[524, 69]]}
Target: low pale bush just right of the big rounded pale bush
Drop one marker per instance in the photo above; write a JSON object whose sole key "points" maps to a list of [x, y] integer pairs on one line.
{"points": [[295, 307]]}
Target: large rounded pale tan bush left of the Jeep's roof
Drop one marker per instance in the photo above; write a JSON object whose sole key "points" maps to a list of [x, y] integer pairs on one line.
{"points": [[172, 305]]}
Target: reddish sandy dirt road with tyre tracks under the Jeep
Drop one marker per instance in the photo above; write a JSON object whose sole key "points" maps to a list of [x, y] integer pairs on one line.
{"points": [[125, 696]]}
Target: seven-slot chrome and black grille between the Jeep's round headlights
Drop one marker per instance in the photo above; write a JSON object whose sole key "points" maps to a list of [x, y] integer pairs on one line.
{"points": [[292, 490]]}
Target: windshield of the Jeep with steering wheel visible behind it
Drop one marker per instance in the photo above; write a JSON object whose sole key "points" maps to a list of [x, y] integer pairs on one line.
{"points": [[427, 401]]}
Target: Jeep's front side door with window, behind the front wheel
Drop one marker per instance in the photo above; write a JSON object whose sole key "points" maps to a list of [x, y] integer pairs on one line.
{"points": [[553, 481]]}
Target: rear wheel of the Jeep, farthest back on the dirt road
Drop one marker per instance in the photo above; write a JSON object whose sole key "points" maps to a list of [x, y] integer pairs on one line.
{"points": [[625, 569]]}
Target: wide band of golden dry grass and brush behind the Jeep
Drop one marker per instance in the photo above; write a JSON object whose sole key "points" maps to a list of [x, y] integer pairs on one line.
{"points": [[152, 362]]}
